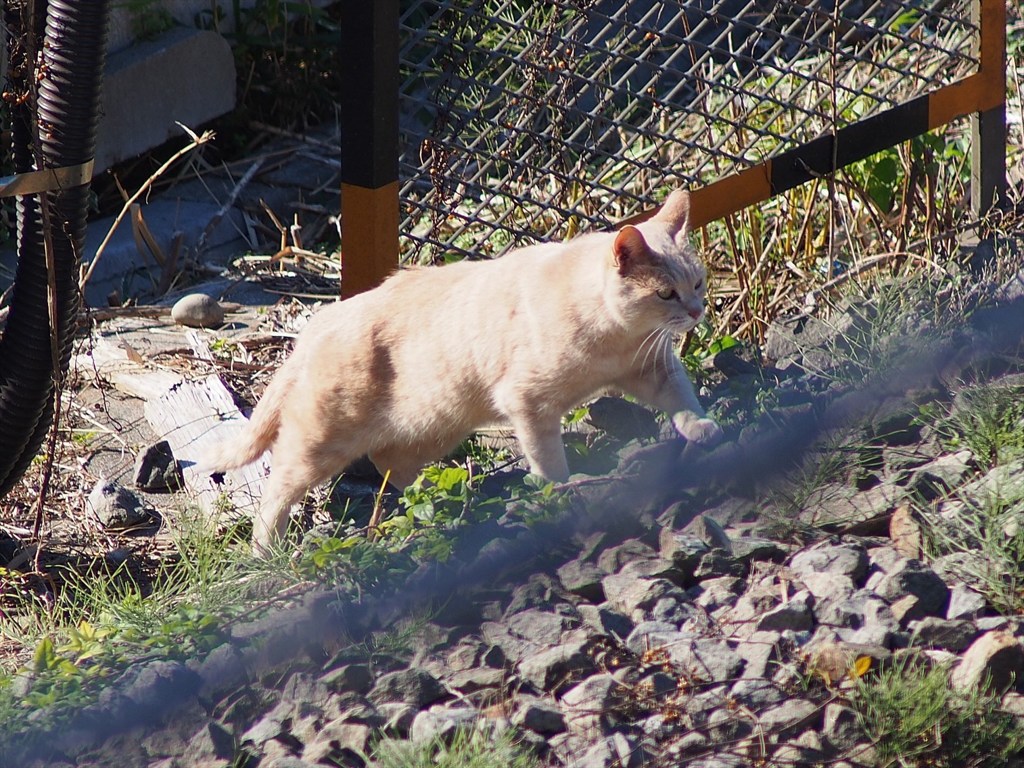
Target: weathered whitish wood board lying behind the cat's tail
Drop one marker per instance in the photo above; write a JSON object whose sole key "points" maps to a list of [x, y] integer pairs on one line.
{"points": [[192, 416]]}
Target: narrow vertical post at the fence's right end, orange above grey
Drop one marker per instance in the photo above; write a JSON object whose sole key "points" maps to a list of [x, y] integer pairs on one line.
{"points": [[989, 127]]}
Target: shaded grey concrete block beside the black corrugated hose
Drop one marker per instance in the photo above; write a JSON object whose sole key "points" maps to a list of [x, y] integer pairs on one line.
{"points": [[185, 76]]}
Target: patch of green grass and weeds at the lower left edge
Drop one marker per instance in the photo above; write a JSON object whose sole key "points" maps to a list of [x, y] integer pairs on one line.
{"points": [[97, 619]]}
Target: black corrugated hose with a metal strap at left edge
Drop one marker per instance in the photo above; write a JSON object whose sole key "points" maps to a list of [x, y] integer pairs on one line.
{"points": [[70, 79]]}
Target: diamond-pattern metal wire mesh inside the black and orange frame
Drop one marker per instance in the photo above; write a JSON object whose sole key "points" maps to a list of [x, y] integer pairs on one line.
{"points": [[526, 121]]}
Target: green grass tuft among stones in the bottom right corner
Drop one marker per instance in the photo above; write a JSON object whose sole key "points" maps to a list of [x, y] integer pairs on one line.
{"points": [[915, 718]]}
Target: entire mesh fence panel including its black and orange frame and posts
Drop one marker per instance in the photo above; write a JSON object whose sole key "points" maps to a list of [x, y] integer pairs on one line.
{"points": [[442, 92]]}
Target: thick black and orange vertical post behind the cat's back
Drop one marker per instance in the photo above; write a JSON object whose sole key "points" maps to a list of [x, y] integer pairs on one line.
{"points": [[369, 144]]}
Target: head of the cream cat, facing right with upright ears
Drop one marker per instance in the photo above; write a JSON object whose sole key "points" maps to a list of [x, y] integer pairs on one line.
{"points": [[661, 281]]}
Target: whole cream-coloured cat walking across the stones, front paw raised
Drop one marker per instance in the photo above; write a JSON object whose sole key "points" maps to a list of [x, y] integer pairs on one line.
{"points": [[405, 372]]}
